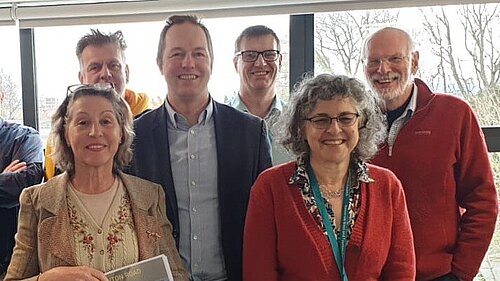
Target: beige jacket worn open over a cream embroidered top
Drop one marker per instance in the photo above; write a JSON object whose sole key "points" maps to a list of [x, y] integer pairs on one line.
{"points": [[44, 237]]}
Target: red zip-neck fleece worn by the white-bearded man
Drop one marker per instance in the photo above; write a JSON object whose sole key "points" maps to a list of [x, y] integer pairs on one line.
{"points": [[441, 158]]}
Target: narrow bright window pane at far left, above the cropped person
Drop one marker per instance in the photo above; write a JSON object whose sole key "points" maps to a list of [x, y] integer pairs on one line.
{"points": [[10, 75]]}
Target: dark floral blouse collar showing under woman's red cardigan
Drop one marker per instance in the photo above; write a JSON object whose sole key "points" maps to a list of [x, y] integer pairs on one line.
{"points": [[301, 179]]}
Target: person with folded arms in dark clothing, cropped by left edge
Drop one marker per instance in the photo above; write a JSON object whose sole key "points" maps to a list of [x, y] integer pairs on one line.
{"points": [[21, 156]]}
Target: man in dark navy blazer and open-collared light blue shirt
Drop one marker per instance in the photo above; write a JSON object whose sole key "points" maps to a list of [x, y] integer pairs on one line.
{"points": [[205, 155]]}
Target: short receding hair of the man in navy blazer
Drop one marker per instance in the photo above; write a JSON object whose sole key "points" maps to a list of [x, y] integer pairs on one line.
{"points": [[180, 19]]}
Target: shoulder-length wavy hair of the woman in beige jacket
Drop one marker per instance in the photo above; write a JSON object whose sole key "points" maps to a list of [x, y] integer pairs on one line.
{"points": [[63, 155]]}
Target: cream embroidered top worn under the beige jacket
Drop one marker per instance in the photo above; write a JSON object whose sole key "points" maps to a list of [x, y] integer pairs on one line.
{"points": [[105, 246]]}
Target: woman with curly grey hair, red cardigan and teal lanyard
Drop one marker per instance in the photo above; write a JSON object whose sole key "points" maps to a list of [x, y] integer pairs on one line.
{"points": [[329, 215]]}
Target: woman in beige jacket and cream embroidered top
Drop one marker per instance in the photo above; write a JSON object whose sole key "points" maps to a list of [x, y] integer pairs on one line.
{"points": [[92, 218]]}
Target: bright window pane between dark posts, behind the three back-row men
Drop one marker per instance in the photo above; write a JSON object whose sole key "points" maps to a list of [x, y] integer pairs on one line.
{"points": [[57, 65]]}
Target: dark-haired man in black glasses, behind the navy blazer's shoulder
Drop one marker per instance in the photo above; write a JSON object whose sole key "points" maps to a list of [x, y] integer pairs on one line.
{"points": [[257, 60]]}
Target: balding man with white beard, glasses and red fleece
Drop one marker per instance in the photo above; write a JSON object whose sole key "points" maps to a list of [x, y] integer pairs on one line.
{"points": [[436, 148]]}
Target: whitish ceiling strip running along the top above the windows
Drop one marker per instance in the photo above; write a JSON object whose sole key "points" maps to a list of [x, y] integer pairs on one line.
{"points": [[34, 13]]}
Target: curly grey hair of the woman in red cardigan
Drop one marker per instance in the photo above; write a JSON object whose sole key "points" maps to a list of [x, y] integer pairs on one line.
{"points": [[328, 87]]}
